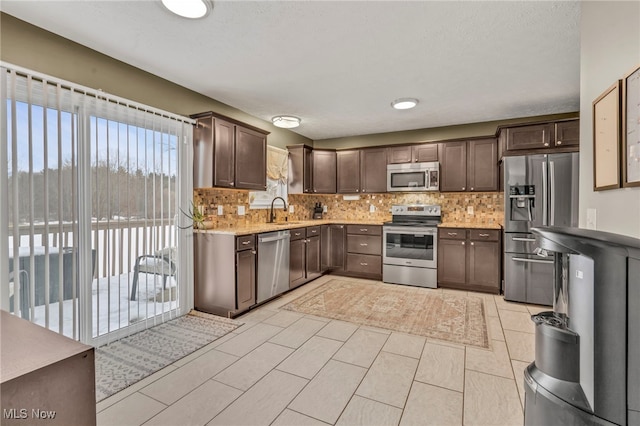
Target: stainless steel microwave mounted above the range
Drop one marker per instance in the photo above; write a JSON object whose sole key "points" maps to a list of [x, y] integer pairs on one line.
{"points": [[413, 177]]}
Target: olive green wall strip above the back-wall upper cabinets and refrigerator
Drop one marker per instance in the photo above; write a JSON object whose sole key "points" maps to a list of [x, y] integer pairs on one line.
{"points": [[433, 134]]}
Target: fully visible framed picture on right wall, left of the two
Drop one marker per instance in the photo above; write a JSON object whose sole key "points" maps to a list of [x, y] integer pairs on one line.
{"points": [[606, 139]]}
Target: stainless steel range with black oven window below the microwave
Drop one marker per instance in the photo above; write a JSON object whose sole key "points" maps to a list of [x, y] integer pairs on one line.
{"points": [[409, 244]]}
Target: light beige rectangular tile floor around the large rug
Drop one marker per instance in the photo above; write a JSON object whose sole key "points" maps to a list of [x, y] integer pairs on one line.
{"points": [[286, 368]]}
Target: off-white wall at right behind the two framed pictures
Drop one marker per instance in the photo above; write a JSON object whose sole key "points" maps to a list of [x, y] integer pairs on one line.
{"points": [[610, 48]]}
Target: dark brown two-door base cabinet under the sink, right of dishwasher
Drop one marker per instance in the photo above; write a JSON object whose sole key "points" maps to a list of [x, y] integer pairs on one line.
{"points": [[304, 256]]}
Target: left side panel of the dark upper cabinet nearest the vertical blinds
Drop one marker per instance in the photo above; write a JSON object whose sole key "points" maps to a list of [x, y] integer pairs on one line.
{"points": [[203, 153]]}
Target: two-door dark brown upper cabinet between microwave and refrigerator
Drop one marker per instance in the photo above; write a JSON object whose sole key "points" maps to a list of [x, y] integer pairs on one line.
{"points": [[469, 165]]}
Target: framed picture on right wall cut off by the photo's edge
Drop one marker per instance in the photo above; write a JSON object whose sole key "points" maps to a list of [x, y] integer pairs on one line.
{"points": [[631, 128]]}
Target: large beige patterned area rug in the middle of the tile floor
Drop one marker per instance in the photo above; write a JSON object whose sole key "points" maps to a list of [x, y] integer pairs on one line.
{"points": [[414, 310]]}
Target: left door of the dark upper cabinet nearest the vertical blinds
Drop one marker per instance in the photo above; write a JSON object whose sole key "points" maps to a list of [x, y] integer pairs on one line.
{"points": [[224, 154]]}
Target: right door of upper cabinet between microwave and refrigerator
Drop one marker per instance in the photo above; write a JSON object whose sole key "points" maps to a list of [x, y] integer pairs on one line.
{"points": [[482, 165]]}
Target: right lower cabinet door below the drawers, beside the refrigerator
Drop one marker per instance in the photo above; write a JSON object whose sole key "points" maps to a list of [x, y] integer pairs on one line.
{"points": [[484, 264]]}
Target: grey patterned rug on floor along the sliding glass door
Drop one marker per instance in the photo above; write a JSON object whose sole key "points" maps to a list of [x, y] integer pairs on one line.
{"points": [[129, 360]]}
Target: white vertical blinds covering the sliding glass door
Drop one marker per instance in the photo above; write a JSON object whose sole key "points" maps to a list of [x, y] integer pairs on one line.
{"points": [[91, 190]]}
